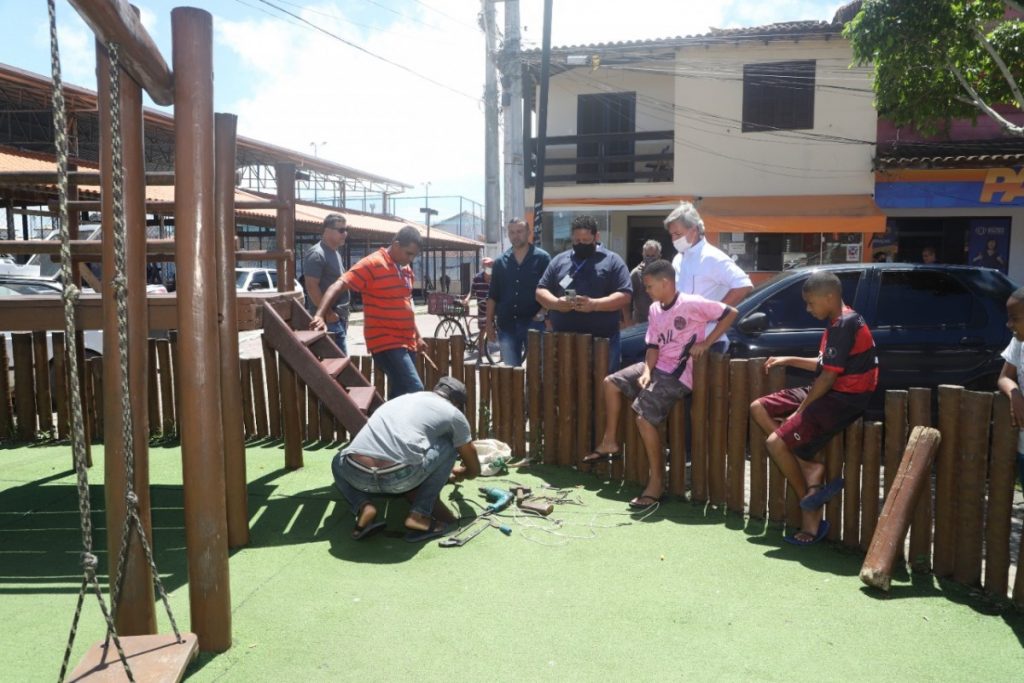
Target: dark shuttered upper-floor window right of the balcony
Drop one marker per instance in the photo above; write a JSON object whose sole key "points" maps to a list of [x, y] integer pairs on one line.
{"points": [[779, 96]]}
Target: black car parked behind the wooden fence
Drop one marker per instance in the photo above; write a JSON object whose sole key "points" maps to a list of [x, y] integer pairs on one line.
{"points": [[932, 324]]}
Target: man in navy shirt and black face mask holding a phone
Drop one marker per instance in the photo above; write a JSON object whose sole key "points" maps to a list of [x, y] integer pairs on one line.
{"points": [[586, 288]]}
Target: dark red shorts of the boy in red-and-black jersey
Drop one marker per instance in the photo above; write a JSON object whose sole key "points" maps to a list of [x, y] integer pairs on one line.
{"points": [[809, 432]]}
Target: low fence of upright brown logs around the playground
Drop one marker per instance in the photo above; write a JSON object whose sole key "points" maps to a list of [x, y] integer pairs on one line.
{"points": [[550, 411]]}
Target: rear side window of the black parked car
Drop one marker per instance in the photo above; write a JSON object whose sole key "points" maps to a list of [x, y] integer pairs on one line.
{"points": [[927, 300]]}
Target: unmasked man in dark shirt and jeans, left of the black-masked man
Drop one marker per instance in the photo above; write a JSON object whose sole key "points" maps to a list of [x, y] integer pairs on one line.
{"points": [[513, 298]]}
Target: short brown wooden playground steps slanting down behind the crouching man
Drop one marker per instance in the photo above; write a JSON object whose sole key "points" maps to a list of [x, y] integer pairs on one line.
{"points": [[319, 363]]}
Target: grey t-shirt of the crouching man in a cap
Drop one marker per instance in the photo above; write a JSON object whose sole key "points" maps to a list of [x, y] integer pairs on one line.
{"points": [[405, 429]]}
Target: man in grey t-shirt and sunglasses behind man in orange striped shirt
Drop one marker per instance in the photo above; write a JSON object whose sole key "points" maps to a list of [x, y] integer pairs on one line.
{"points": [[321, 269]]}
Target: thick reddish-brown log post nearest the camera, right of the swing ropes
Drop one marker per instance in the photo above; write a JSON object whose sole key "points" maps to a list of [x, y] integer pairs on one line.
{"points": [[202, 433]]}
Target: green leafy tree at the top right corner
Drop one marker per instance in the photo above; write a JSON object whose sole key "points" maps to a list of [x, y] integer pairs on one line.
{"points": [[941, 60]]}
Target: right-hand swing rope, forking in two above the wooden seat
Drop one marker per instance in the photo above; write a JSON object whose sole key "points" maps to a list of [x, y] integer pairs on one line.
{"points": [[120, 287]]}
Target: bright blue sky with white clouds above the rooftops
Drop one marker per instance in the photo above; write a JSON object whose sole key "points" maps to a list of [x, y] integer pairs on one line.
{"points": [[292, 86]]}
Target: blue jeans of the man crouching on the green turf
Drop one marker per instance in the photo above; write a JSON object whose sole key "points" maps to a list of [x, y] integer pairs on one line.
{"points": [[358, 483]]}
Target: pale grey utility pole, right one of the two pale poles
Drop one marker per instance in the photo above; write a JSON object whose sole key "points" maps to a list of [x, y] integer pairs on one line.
{"points": [[516, 194]]}
